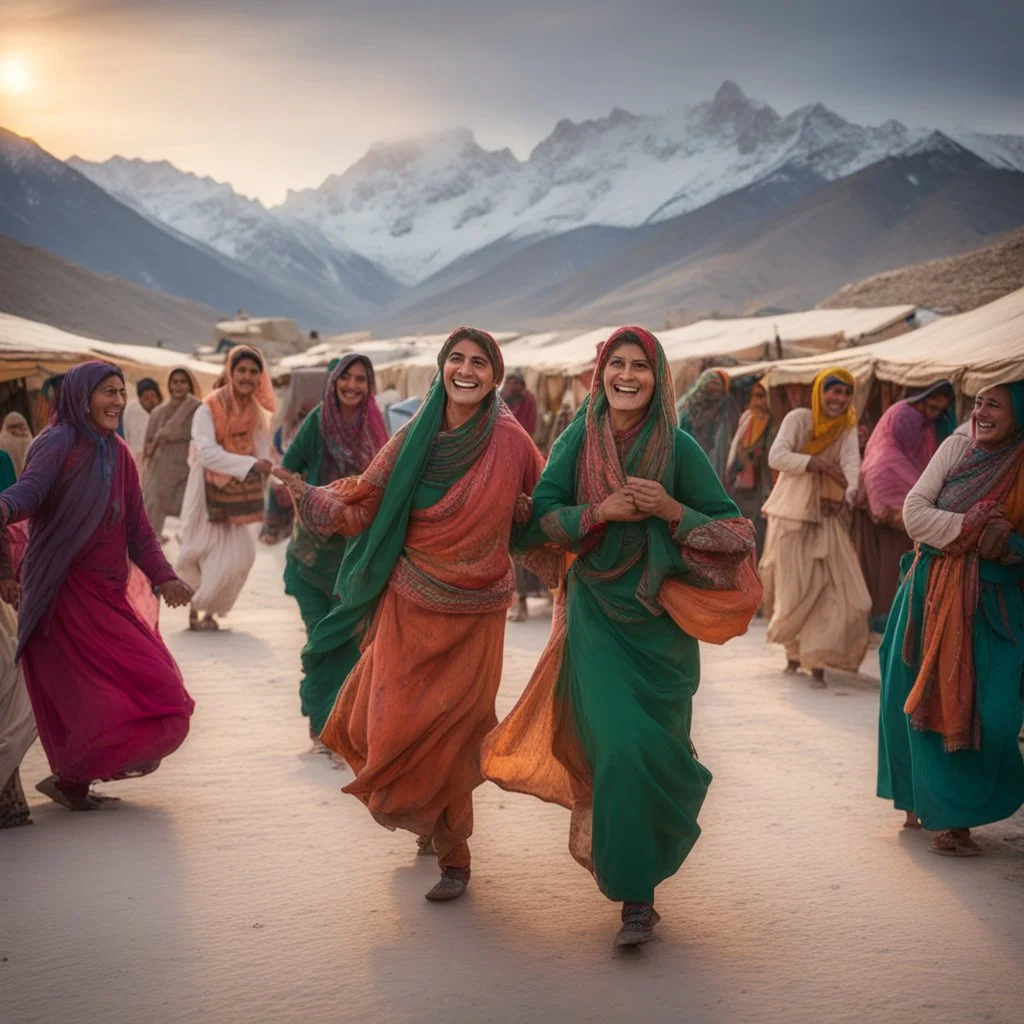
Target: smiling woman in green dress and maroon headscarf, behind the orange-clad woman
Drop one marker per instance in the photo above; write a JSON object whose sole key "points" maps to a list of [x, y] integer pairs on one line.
{"points": [[338, 439]]}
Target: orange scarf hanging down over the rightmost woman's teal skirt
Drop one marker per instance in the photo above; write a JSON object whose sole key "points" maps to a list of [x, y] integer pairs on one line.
{"points": [[943, 699]]}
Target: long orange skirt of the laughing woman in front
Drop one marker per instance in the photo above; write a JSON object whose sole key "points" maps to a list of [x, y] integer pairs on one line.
{"points": [[412, 716]]}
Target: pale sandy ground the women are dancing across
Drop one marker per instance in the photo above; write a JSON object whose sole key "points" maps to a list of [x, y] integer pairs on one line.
{"points": [[238, 885]]}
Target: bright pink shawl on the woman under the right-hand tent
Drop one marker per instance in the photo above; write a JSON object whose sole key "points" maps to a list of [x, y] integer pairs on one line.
{"points": [[899, 452]]}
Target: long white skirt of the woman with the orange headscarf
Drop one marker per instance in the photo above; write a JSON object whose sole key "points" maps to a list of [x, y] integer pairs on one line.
{"points": [[216, 559]]}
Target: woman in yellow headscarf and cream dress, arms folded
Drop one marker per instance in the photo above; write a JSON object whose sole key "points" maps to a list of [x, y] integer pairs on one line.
{"points": [[815, 590]]}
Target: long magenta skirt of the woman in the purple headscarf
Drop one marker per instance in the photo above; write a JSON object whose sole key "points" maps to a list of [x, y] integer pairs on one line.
{"points": [[108, 697]]}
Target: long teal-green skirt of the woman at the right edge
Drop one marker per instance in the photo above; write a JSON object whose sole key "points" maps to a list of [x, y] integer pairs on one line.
{"points": [[968, 788]]}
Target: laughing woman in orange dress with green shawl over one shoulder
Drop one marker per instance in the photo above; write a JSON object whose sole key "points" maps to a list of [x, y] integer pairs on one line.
{"points": [[418, 630]]}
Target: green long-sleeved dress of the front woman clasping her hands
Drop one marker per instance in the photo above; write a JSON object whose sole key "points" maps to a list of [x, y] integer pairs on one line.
{"points": [[630, 675]]}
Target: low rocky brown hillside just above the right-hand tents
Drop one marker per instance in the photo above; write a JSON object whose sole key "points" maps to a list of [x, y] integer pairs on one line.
{"points": [[954, 285]]}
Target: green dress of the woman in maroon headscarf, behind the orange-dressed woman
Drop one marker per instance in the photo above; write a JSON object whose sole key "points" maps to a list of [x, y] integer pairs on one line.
{"points": [[312, 567]]}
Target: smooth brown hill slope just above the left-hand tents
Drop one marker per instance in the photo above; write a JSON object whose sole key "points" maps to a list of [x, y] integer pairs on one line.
{"points": [[39, 286]]}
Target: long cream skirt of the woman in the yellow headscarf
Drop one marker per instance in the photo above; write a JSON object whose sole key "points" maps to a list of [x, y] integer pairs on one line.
{"points": [[816, 593]]}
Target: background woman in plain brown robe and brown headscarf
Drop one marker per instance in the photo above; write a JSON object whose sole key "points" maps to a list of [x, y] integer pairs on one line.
{"points": [[167, 440]]}
